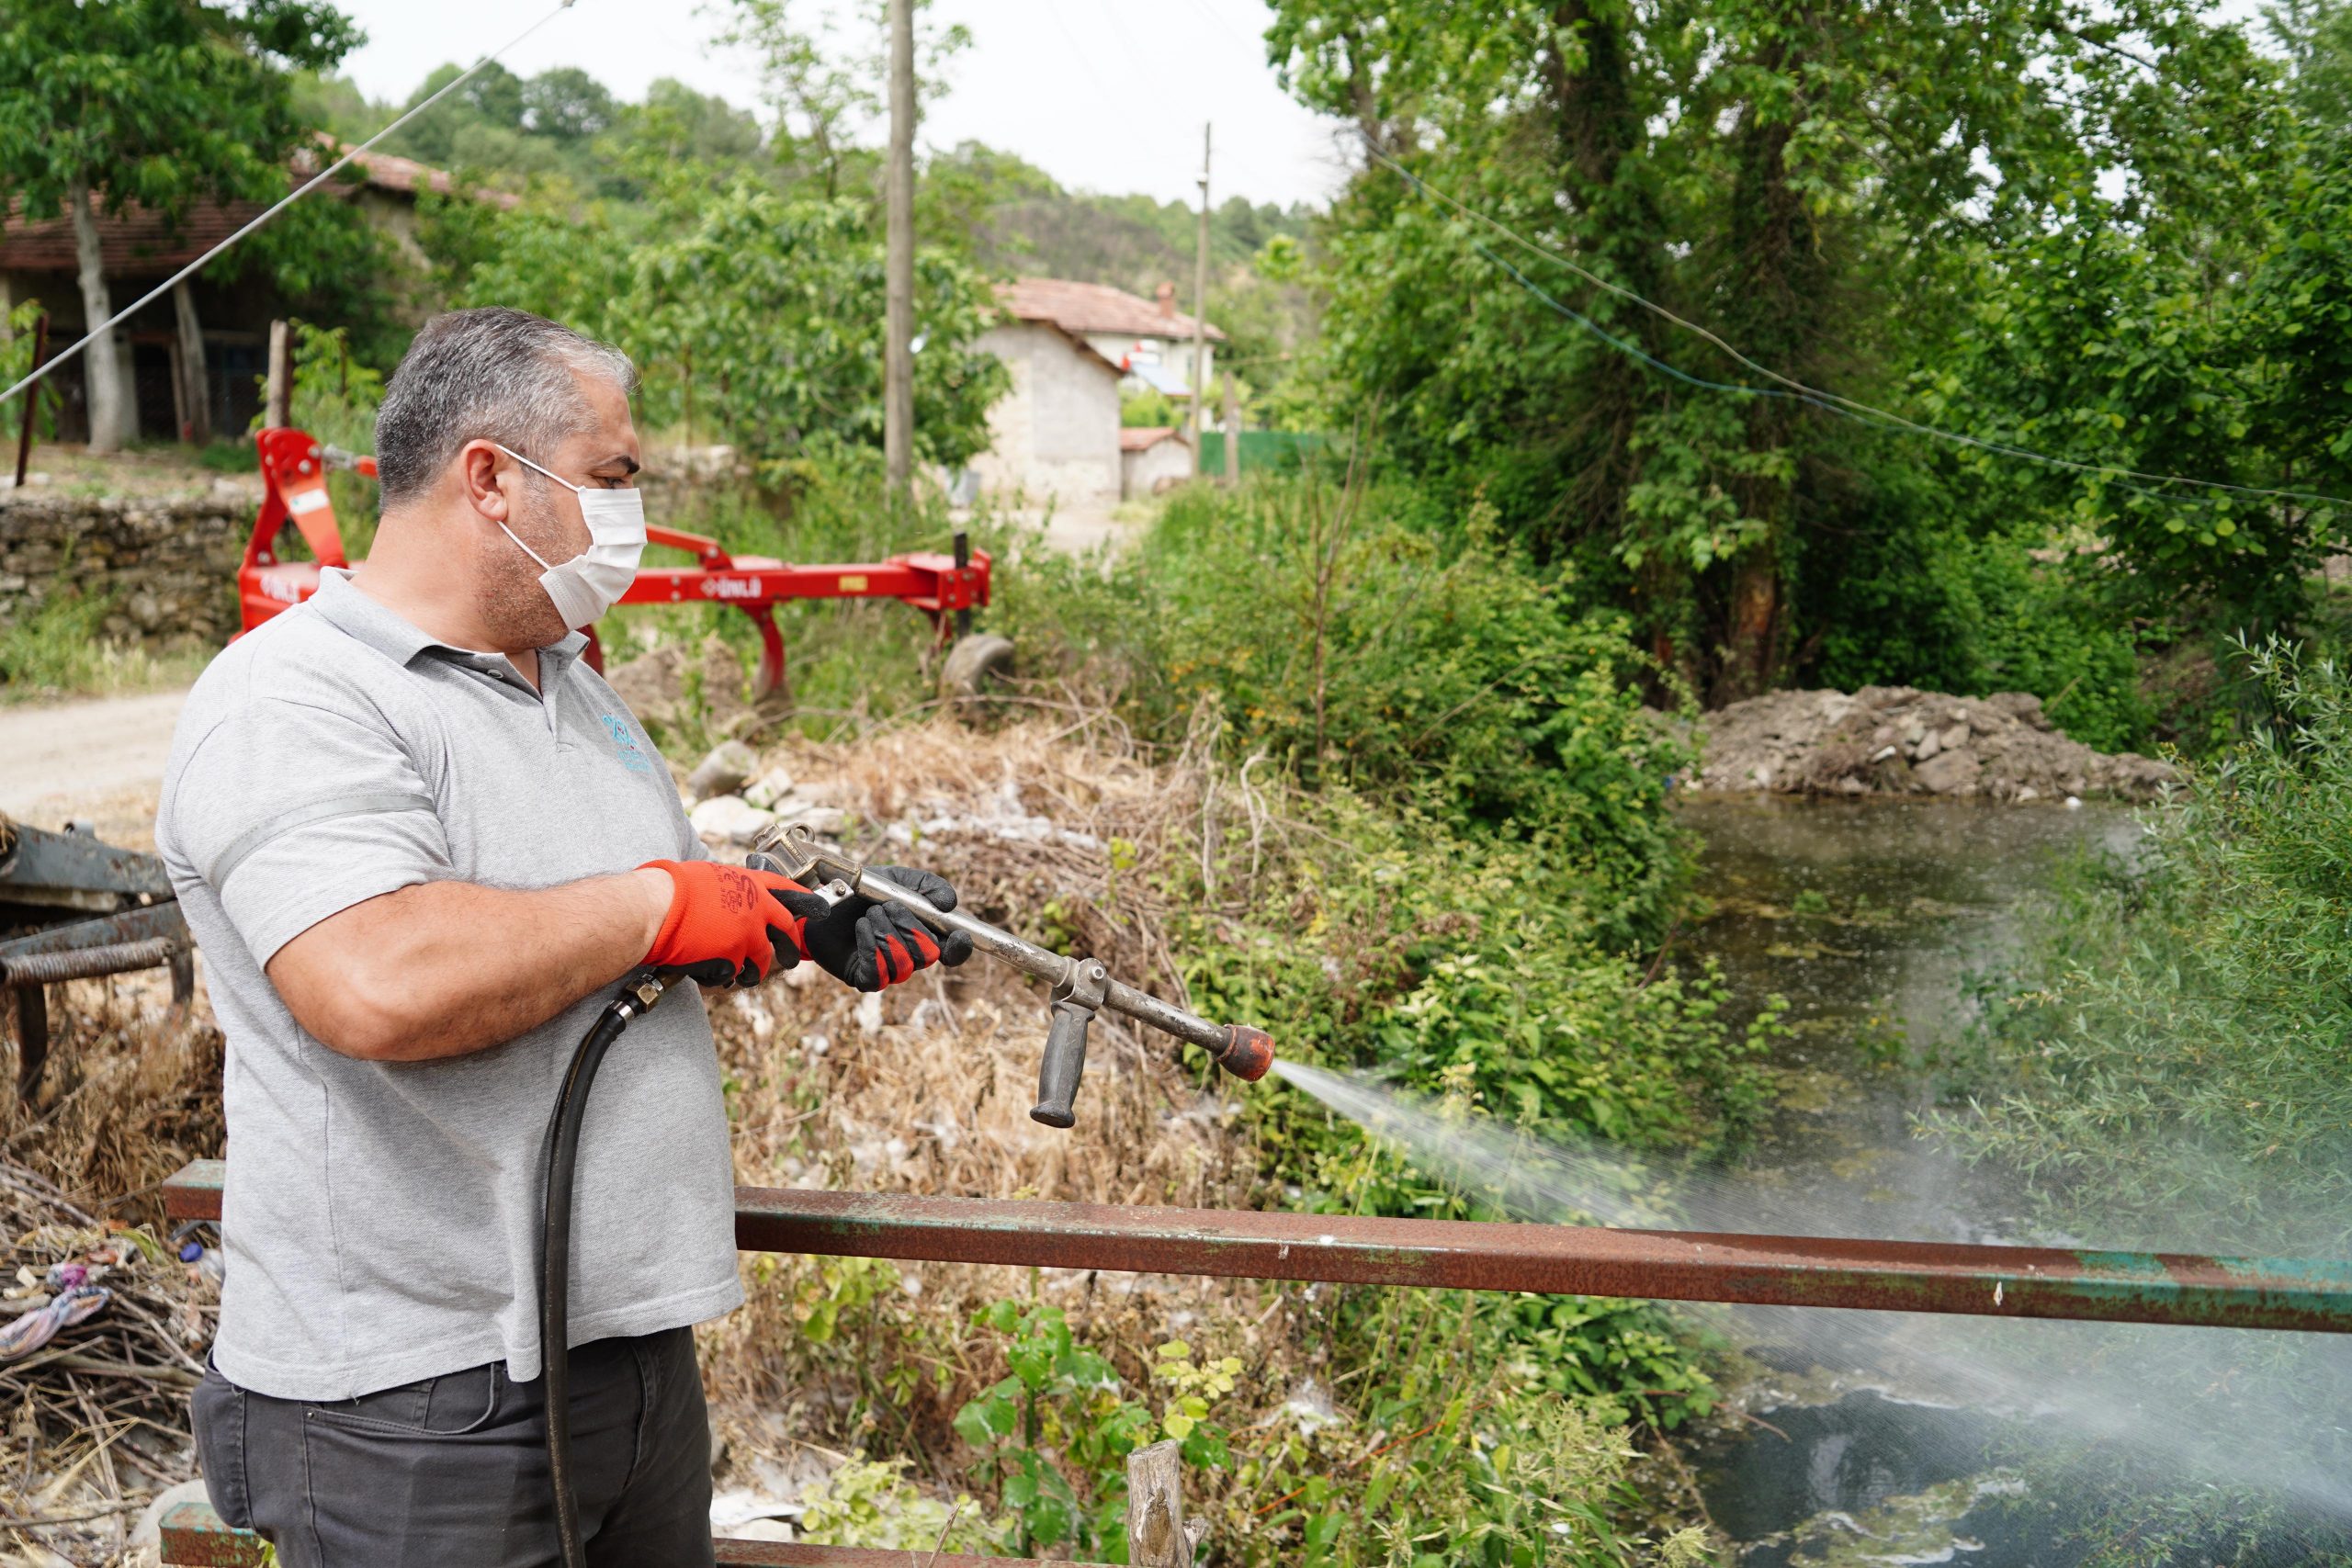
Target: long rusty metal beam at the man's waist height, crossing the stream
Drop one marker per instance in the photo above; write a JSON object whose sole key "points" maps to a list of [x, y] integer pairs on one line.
{"points": [[1544, 1259]]}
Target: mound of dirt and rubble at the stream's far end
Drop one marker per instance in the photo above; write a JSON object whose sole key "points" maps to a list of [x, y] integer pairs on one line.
{"points": [[1904, 742]]}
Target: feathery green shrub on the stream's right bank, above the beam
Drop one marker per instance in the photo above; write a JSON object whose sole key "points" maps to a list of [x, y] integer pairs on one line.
{"points": [[2177, 1038]]}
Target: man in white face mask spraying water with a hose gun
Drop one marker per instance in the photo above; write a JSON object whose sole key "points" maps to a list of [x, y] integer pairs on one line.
{"points": [[420, 843]]}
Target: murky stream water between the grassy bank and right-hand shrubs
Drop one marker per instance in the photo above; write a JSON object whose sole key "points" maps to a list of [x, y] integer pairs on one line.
{"points": [[1883, 1438]]}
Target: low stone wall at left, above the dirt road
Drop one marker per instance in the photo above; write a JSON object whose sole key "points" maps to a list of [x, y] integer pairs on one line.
{"points": [[168, 565]]}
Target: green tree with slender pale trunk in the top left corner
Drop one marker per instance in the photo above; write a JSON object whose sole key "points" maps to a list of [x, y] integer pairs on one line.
{"points": [[152, 102]]}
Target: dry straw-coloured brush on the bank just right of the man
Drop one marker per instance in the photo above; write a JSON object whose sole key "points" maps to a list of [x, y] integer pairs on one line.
{"points": [[1057, 831]]}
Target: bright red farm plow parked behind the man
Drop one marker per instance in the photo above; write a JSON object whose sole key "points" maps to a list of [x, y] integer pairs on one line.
{"points": [[295, 500]]}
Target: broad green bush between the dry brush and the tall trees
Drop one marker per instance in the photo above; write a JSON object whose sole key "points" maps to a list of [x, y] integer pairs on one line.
{"points": [[1358, 650]]}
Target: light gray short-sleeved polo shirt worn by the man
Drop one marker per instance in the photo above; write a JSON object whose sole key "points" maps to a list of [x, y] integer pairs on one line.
{"points": [[382, 1219]]}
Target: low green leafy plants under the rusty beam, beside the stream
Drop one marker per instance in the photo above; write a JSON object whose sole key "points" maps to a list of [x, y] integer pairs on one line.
{"points": [[1445, 1463]]}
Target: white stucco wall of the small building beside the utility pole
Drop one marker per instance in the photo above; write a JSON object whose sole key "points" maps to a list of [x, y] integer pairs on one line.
{"points": [[1057, 431]]}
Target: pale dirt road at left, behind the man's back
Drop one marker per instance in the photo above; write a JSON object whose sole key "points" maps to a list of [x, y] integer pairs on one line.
{"points": [[95, 760]]}
